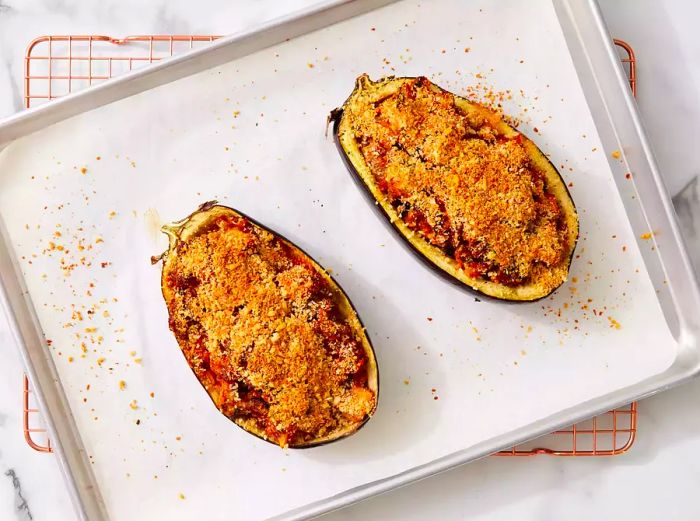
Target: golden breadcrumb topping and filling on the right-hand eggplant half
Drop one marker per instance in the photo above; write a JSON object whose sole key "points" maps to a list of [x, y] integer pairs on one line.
{"points": [[461, 185]]}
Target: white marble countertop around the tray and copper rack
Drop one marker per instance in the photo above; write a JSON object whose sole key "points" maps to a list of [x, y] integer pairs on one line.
{"points": [[657, 479]]}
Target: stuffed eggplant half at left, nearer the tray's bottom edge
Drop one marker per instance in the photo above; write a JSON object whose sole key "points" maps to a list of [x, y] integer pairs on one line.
{"points": [[269, 334]]}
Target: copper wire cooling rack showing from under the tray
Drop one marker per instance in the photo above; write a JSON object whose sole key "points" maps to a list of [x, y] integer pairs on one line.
{"points": [[58, 65]]}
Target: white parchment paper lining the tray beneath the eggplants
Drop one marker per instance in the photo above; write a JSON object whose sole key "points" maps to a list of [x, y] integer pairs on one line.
{"points": [[251, 134]]}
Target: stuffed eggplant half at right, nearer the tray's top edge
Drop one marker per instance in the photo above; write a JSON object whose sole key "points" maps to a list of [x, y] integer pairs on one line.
{"points": [[472, 196]]}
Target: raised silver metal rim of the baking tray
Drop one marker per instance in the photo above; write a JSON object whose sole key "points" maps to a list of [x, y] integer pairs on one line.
{"points": [[25, 330]]}
